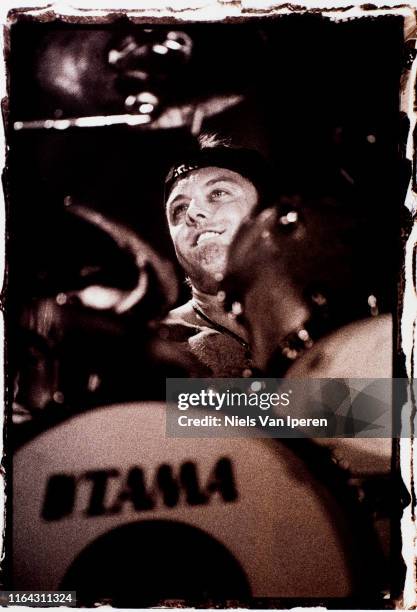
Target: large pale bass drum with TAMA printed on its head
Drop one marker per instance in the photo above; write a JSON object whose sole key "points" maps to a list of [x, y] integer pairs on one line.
{"points": [[105, 504]]}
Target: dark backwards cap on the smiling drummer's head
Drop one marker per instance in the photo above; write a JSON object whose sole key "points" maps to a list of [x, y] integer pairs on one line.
{"points": [[247, 162]]}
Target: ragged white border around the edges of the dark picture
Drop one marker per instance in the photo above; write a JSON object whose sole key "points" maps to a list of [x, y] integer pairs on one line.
{"points": [[105, 11]]}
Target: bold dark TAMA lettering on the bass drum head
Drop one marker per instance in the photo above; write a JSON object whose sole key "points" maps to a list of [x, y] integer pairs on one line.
{"points": [[108, 491]]}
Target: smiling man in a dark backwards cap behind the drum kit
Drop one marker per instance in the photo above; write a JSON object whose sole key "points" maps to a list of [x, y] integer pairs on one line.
{"points": [[207, 195]]}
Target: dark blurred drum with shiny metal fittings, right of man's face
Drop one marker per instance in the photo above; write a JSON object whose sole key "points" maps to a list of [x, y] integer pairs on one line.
{"points": [[296, 272]]}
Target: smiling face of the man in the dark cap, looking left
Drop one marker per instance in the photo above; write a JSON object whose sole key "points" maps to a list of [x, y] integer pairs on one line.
{"points": [[204, 210]]}
